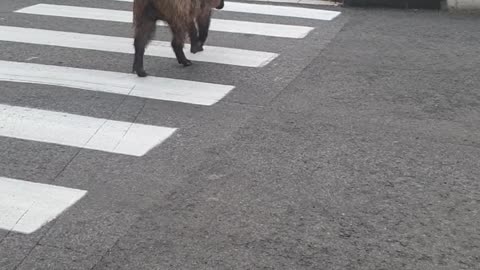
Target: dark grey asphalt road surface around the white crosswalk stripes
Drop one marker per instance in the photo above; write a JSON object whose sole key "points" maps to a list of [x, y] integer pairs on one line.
{"points": [[356, 148]]}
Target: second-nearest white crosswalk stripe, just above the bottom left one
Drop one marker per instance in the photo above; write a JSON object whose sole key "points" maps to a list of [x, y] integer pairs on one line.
{"points": [[80, 131]]}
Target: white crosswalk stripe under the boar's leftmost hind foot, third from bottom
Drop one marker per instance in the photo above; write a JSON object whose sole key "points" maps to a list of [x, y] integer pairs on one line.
{"points": [[113, 82]]}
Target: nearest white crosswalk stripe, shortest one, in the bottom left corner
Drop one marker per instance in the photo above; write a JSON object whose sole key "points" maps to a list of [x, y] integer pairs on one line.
{"points": [[25, 206]]}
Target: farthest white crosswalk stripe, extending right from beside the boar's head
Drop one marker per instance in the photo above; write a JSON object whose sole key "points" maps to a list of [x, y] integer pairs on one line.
{"points": [[286, 11]]}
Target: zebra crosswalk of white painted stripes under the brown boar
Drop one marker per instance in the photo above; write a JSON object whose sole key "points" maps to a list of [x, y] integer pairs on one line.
{"points": [[25, 206]]}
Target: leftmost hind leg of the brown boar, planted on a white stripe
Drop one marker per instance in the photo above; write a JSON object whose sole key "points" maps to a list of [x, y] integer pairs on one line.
{"points": [[144, 31]]}
